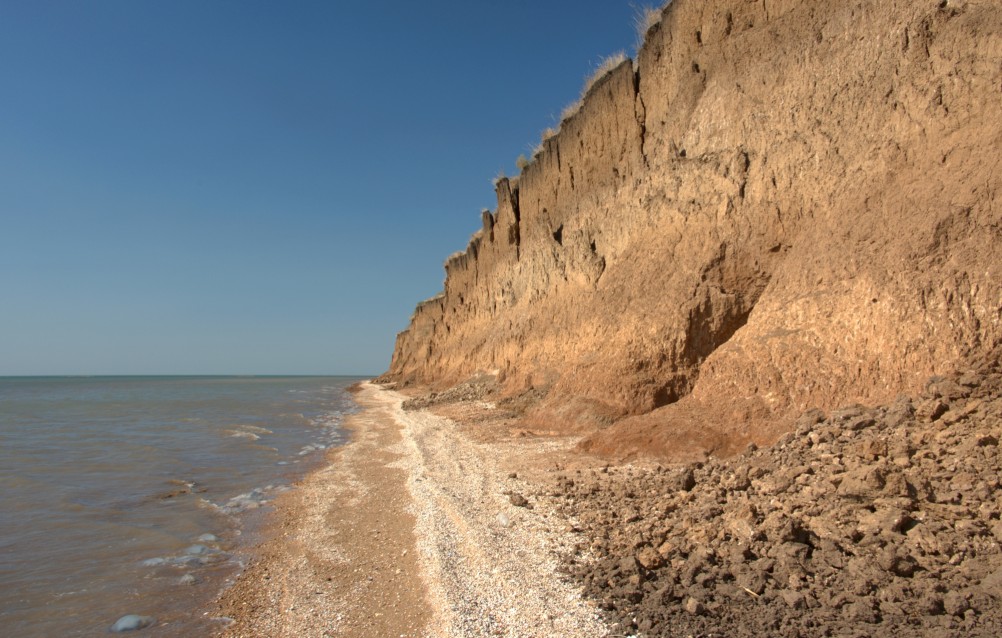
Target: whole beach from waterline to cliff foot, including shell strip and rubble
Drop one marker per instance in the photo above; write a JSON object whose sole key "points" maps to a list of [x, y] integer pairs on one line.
{"points": [[448, 515]]}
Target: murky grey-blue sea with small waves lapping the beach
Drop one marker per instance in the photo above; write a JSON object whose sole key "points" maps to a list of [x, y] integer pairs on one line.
{"points": [[137, 495]]}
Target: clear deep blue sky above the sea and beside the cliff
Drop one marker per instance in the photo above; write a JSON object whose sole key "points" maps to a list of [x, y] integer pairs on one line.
{"points": [[259, 188]]}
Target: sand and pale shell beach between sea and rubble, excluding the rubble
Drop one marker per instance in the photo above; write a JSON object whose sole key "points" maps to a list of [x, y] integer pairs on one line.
{"points": [[418, 527]]}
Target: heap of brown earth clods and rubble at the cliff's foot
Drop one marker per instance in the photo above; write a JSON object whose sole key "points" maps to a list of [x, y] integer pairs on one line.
{"points": [[864, 522]]}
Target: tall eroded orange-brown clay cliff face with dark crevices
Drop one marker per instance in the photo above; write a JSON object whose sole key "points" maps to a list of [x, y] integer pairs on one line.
{"points": [[785, 205]]}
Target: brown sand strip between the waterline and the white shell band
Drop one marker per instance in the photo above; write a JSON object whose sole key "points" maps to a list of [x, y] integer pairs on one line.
{"points": [[339, 559]]}
